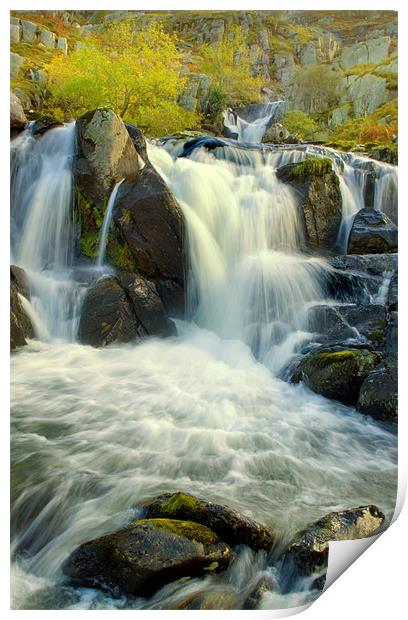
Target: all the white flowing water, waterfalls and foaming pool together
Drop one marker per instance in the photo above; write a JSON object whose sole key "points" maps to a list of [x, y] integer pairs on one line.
{"points": [[95, 431]]}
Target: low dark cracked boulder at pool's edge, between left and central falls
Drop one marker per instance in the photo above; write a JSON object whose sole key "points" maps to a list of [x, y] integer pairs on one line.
{"points": [[121, 309]]}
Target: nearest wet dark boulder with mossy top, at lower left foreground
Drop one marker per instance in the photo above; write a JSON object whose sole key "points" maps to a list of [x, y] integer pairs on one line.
{"points": [[145, 555]]}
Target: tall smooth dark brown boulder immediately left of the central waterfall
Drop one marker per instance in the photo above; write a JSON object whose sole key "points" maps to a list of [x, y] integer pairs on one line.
{"points": [[150, 221]]}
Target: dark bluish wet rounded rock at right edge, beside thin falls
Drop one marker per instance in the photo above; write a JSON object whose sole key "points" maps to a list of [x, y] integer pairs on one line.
{"points": [[372, 233]]}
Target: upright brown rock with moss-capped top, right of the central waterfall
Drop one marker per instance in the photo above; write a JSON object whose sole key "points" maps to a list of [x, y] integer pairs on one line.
{"points": [[320, 203]]}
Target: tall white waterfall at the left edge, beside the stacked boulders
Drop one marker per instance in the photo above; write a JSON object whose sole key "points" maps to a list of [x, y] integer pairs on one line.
{"points": [[43, 230]]}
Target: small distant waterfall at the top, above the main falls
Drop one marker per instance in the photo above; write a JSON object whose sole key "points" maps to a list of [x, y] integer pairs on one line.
{"points": [[252, 131]]}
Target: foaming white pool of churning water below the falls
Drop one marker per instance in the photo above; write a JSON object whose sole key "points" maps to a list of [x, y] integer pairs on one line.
{"points": [[108, 428]]}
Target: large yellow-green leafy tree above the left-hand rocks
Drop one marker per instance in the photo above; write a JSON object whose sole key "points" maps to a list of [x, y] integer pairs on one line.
{"points": [[136, 72]]}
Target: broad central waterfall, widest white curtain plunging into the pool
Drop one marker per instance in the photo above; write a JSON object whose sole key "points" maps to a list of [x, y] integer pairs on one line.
{"points": [[249, 280]]}
